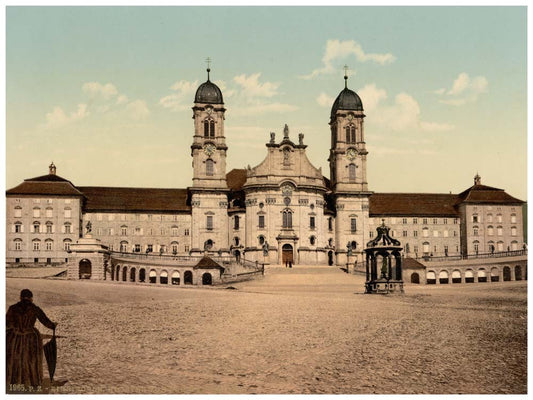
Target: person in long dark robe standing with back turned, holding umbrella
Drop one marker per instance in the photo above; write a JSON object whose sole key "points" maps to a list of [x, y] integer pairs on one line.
{"points": [[24, 346]]}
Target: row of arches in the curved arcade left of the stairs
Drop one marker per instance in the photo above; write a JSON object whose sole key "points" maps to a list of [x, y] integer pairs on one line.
{"points": [[163, 277]]}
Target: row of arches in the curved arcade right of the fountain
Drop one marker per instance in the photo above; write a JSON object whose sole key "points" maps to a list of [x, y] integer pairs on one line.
{"points": [[470, 275]]}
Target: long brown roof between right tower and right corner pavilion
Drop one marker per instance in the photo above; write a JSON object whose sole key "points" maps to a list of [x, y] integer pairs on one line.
{"points": [[413, 204]]}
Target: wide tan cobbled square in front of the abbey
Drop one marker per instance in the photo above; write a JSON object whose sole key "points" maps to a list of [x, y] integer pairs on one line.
{"points": [[304, 330]]}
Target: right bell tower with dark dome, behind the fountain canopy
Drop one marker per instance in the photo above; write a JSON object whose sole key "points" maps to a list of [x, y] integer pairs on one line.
{"points": [[347, 161]]}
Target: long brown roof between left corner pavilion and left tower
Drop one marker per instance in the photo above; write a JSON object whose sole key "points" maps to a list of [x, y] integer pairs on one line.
{"points": [[135, 199]]}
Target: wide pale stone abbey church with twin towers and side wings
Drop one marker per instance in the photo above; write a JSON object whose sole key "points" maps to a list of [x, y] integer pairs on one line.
{"points": [[282, 210]]}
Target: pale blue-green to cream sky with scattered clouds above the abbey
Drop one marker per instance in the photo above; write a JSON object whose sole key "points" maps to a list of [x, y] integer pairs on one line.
{"points": [[106, 92]]}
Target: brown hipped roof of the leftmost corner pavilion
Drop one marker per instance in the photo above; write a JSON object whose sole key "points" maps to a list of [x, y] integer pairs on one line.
{"points": [[50, 184]]}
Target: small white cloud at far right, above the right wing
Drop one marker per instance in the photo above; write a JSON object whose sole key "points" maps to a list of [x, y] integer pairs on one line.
{"points": [[464, 90]]}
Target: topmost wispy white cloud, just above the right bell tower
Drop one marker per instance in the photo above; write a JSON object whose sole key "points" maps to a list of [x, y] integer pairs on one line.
{"points": [[337, 50]]}
